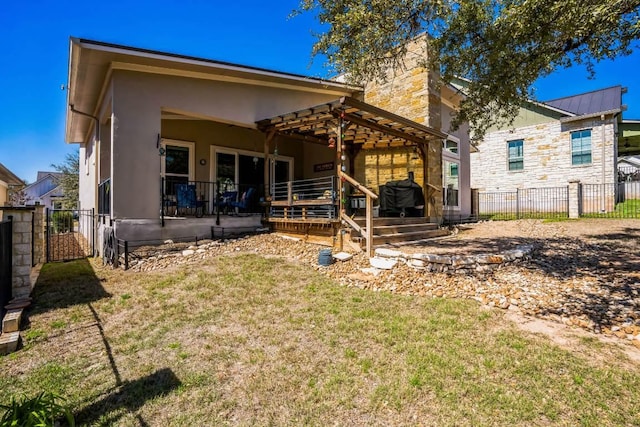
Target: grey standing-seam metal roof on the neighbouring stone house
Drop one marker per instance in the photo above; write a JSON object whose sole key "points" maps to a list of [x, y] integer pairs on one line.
{"points": [[597, 101]]}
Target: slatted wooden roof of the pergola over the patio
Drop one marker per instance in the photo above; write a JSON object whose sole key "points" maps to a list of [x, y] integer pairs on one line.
{"points": [[364, 124]]}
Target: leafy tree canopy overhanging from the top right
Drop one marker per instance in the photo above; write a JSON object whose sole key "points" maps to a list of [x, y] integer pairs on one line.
{"points": [[499, 46]]}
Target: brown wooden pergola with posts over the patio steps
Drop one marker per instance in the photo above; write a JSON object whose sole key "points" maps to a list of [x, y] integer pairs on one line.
{"points": [[351, 125]]}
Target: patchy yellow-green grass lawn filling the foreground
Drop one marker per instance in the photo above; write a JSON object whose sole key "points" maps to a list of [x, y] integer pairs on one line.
{"points": [[246, 340]]}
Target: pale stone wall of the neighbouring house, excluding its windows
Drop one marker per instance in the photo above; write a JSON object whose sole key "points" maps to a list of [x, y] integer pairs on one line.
{"points": [[547, 157]]}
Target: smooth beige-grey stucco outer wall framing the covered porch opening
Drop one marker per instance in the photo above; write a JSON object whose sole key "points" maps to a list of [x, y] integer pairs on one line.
{"points": [[138, 100]]}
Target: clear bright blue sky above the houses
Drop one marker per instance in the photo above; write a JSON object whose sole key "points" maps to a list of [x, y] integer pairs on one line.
{"points": [[34, 41]]}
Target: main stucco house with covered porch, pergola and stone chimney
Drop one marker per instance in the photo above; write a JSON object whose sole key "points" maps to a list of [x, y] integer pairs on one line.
{"points": [[174, 146]]}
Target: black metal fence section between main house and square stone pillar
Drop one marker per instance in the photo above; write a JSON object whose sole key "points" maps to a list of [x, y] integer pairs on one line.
{"points": [[549, 202]]}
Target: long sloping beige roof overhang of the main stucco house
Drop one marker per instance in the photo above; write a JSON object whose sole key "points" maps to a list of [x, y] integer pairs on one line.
{"points": [[91, 64]]}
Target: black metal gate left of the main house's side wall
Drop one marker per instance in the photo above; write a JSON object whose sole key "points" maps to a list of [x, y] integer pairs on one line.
{"points": [[70, 234]]}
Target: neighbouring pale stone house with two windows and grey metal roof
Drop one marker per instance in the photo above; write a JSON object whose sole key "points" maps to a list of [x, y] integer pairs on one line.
{"points": [[552, 143]]}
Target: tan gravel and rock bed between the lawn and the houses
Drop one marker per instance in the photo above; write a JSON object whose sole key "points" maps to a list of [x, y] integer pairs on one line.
{"points": [[583, 273]]}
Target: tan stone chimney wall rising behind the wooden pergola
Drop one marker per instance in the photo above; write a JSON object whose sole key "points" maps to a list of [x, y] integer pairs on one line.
{"points": [[412, 92]]}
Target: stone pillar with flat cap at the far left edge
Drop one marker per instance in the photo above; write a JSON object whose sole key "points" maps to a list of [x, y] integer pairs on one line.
{"points": [[21, 256]]}
